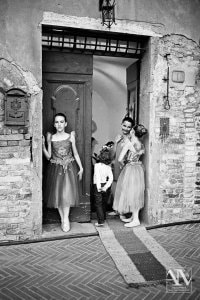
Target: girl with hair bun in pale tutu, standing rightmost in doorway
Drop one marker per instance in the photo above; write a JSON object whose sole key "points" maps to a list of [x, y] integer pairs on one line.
{"points": [[129, 194]]}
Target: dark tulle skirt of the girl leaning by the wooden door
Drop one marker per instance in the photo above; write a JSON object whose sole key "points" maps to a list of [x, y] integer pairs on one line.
{"points": [[61, 187]]}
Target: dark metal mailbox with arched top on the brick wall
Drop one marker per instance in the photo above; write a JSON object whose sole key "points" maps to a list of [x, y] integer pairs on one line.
{"points": [[16, 107]]}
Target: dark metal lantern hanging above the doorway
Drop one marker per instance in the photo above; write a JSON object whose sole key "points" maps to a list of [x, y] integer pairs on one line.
{"points": [[107, 8]]}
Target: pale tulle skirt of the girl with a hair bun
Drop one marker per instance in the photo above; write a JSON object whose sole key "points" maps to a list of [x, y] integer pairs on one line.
{"points": [[129, 193]]}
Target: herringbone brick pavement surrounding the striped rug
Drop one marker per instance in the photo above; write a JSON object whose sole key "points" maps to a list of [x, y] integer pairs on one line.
{"points": [[81, 269]]}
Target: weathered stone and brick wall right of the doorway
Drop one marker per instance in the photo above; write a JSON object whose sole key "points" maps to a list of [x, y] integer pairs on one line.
{"points": [[178, 153]]}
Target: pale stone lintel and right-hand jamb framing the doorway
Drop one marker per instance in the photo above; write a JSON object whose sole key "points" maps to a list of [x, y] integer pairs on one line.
{"points": [[130, 27]]}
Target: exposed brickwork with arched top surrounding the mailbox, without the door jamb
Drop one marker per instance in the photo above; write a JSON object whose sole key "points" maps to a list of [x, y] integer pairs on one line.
{"points": [[18, 213]]}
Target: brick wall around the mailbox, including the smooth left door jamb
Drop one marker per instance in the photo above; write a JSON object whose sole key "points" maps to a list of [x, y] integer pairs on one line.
{"points": [[20, 162]]}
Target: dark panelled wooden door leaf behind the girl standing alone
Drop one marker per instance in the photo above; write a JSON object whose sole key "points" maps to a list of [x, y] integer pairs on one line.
{"points": [[67, 88]]}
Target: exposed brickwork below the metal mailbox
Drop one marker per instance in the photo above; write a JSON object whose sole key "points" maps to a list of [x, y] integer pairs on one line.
{"points": [[15, 182]]}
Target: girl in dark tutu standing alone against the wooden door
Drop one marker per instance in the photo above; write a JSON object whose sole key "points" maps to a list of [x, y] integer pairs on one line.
{"points": [[61, 182]]}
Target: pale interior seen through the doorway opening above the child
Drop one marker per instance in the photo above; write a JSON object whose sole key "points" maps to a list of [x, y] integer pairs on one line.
{"points": [[111, 101]]}
